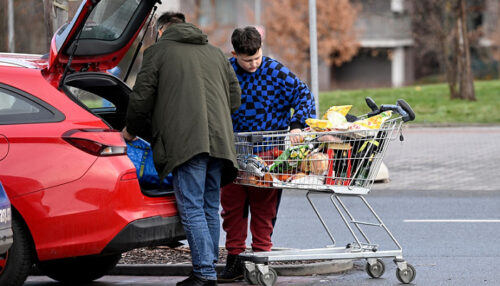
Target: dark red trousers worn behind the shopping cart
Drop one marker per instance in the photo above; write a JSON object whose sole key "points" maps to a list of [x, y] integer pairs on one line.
{"points": [[237, 201]]}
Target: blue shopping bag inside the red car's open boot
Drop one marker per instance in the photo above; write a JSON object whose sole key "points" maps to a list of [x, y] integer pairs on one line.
{"points": [[141, 154]]}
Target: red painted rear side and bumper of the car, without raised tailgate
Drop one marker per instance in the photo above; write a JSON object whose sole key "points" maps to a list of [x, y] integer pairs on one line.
{"points": [[73, 202]]}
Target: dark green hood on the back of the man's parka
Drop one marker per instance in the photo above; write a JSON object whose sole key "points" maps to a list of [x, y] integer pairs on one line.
{"points": [[185, 33]]}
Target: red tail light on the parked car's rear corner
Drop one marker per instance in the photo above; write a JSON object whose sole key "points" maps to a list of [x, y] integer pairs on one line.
{"points": [[98, 142]]}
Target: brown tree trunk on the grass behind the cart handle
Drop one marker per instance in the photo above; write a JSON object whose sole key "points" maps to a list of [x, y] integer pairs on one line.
{"points": [[466, 77]]}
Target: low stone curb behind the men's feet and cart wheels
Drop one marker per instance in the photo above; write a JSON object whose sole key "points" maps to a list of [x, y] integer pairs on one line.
{"points": [[319, 268]]}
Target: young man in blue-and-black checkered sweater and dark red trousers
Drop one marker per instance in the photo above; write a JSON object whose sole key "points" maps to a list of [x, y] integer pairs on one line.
{"points": [[268, 91]]}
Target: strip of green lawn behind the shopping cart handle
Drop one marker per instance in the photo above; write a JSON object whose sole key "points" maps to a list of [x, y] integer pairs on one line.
{"points": [[431, 102]]}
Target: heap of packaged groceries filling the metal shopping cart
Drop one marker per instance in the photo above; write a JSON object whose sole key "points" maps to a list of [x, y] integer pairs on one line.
{"points": [[333, 152]]}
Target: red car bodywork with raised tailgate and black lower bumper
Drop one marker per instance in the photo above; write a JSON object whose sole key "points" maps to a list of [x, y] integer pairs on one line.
{"points": [[74, 200]]}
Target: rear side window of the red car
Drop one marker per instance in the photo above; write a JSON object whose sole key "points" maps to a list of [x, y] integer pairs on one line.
{"points": [[15, 108]]}
